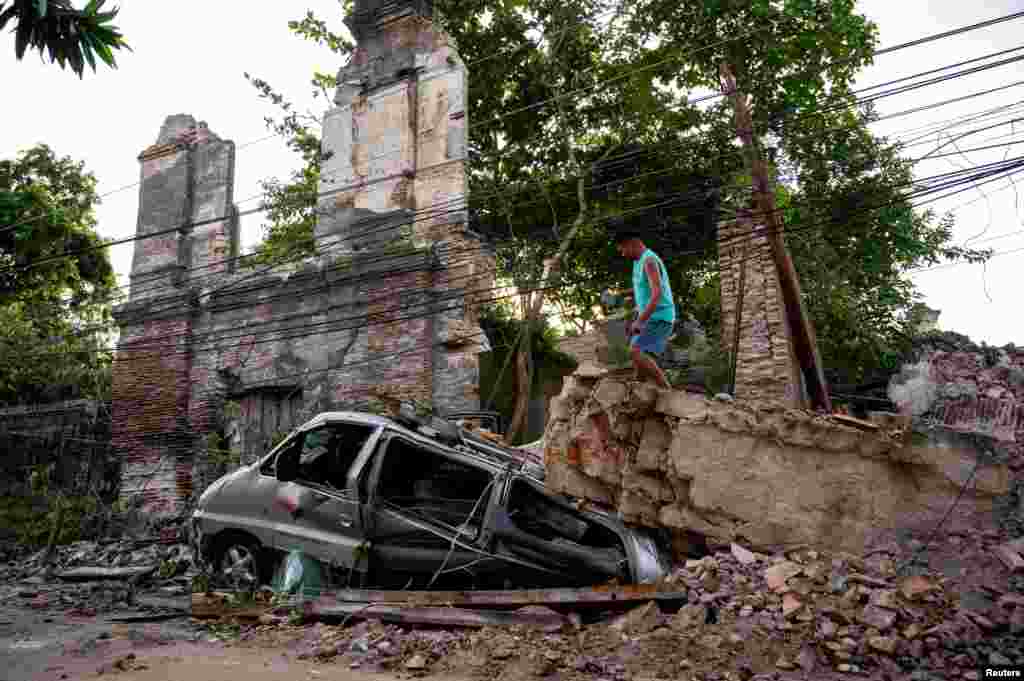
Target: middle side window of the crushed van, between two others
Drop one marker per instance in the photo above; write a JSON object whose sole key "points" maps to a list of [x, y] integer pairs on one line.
{"points": [[434, 486]]}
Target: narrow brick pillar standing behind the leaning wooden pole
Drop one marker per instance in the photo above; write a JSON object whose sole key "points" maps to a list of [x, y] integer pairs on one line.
{"points": [[766, 365]]}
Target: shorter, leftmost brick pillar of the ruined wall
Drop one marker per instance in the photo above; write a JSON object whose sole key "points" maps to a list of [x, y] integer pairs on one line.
{"points": [[188, 232]]}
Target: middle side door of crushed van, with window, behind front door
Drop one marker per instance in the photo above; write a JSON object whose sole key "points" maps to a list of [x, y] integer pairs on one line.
{"points": [[428, 516]]}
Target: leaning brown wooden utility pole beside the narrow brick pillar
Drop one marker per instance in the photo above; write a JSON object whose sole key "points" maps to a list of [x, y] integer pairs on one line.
{"points": [[801, 329]]}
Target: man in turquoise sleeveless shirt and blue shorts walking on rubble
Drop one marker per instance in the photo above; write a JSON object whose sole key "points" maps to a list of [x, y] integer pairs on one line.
{"points": [[651, 331]]}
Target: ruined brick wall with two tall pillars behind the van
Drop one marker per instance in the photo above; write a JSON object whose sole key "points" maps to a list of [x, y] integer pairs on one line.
{"points": [[386, 312]]}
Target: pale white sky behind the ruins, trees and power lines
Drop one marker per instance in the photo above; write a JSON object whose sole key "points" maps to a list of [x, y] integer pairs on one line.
{"points": [[191, 57]]}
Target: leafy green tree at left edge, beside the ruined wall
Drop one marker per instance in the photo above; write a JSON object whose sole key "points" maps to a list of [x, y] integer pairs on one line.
{"points": [[55, 311]]}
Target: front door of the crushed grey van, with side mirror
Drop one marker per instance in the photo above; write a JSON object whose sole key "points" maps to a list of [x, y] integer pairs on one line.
{"points": [[323, 501]]}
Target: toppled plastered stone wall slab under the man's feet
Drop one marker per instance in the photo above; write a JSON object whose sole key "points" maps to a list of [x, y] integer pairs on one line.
{"points": [[754, 472]]}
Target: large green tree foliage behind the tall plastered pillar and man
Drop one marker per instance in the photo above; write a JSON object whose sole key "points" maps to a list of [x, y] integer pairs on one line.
{"points": [[604, 91]]}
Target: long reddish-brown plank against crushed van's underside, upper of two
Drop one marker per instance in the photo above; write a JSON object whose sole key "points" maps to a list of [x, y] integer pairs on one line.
{"points": [[604, 597]]}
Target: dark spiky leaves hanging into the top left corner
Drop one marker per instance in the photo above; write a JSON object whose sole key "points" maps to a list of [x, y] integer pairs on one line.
{"points": [[71, 37]]}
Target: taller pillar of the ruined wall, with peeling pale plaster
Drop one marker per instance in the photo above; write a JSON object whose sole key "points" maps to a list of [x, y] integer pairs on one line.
{"points": [[396, 178]]}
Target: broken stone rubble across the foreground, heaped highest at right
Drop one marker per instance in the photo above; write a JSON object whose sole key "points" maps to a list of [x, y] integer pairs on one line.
{"points": [[905, 611]]}
